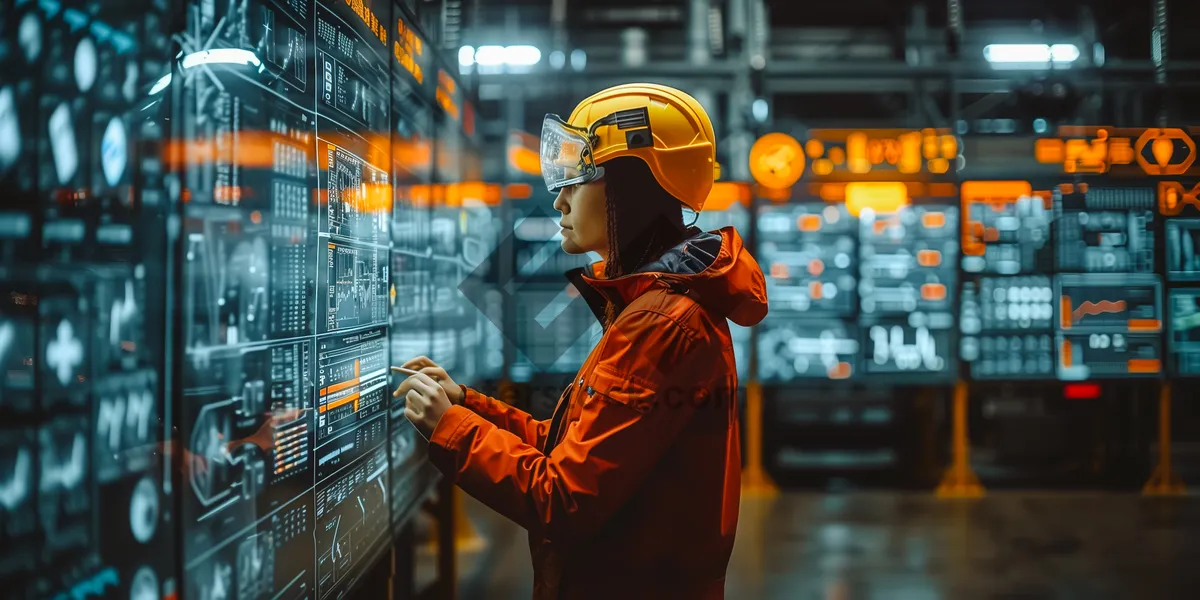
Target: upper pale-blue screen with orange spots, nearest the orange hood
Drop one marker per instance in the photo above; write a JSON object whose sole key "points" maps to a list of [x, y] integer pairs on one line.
{"points": [[811, 256]]}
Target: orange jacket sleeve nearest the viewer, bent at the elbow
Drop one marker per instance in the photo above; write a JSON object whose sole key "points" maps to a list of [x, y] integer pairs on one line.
{"points": [[627, 425]]}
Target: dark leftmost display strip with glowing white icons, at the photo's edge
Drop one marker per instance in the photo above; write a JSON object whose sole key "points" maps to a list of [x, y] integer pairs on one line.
{"points": [[87, 499]]}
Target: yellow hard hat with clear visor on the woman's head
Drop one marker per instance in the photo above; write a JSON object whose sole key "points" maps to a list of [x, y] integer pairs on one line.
{"points": [[664, 127]]}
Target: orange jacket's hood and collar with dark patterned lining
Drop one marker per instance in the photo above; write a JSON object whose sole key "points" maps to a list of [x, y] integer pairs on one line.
{"points": [[712, 267]]}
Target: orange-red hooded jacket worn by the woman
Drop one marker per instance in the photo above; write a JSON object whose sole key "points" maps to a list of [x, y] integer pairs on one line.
{"points": [[632, 490]]}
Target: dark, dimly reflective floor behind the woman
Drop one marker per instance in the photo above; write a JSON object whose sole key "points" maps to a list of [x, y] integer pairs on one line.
{"points": [[915, 547]]}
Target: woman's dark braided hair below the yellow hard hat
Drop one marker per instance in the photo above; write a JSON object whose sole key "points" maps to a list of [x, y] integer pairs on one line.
{"points": [[645, 220]]}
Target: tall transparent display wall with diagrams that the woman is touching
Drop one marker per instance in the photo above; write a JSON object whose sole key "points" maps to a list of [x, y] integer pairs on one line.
{"points": [[314, 261]]}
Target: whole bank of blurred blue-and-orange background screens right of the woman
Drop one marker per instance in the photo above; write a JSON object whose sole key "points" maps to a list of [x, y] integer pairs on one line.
{"points": [[1071, 283]]}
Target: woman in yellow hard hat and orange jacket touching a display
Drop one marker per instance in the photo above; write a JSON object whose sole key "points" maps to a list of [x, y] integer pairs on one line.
{"points": [[632, 489]]}
